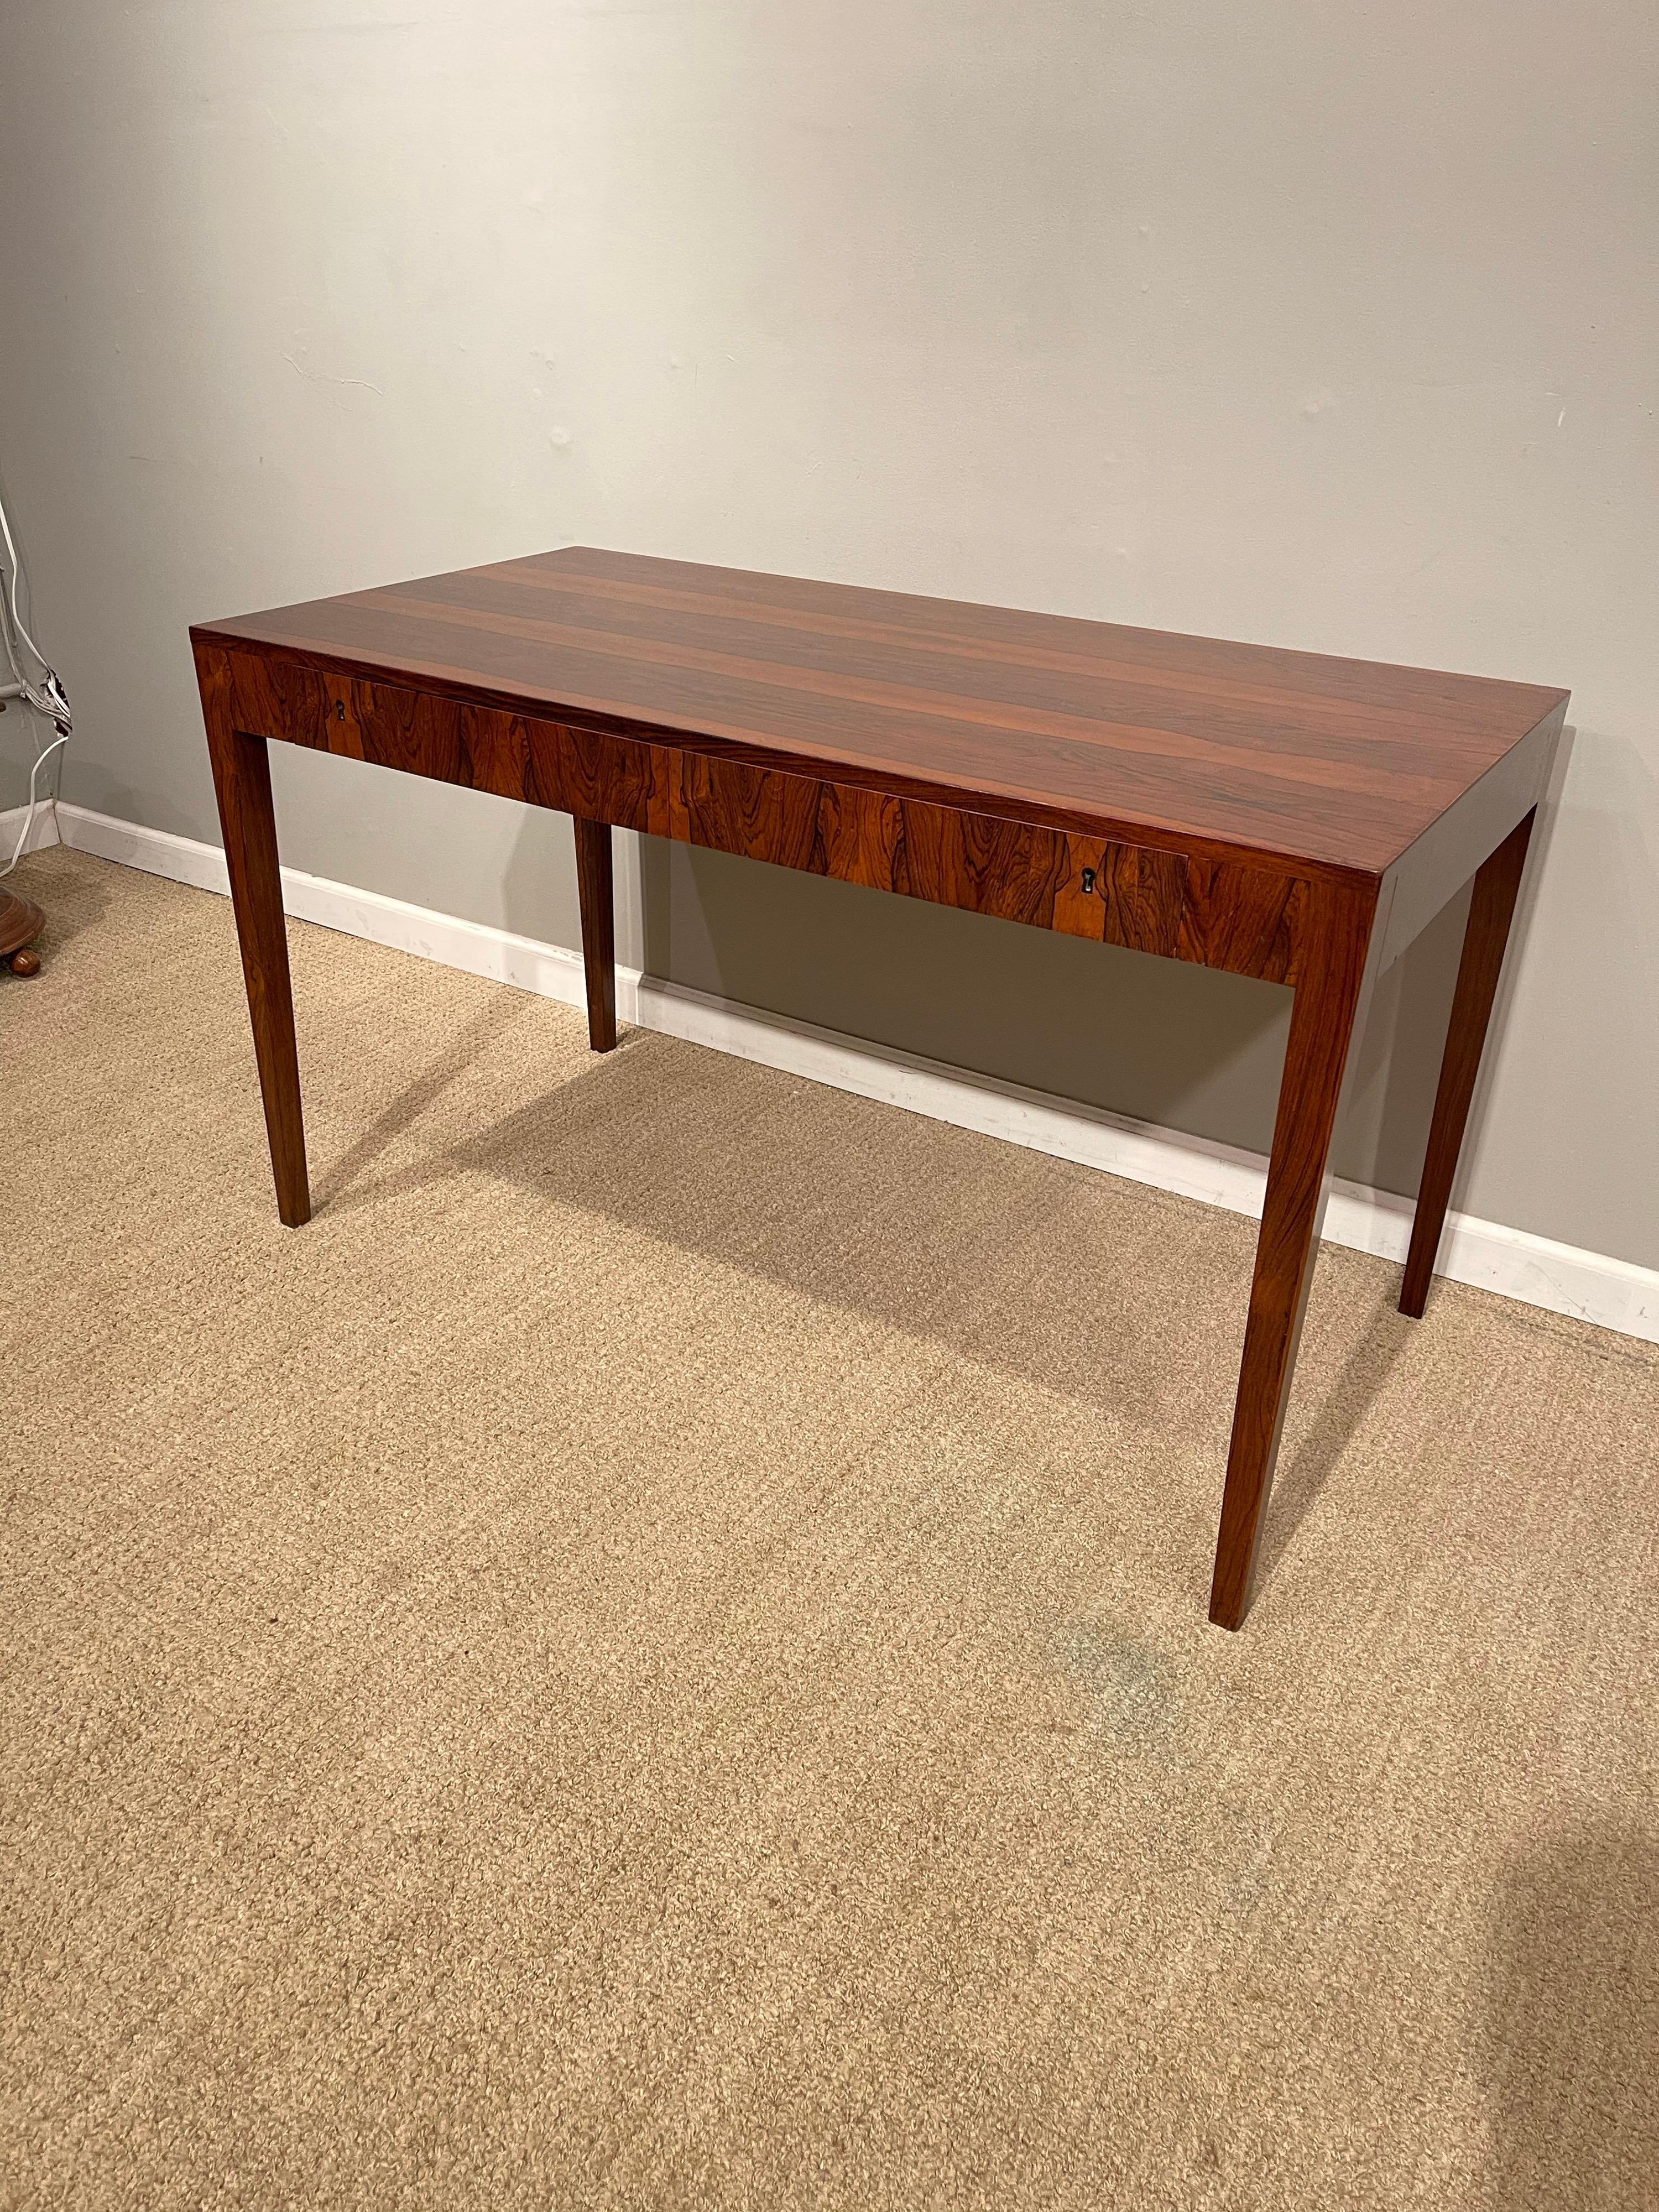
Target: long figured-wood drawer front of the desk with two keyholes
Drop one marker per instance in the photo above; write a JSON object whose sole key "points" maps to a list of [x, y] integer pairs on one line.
{"points": [[1213, 912]]}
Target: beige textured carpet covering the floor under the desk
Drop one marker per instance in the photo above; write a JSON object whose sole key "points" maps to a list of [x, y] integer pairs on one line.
{"points": [[656, 1653]]}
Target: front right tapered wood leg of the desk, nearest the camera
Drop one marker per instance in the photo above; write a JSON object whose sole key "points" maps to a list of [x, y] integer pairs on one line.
{"points": [[1331, 992]]}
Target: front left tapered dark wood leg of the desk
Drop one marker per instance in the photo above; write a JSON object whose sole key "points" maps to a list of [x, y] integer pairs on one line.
{"points": [[242, 782]]}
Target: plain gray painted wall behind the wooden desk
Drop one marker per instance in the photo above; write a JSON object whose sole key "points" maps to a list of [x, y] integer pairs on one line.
{"points": [[1258, 317]]}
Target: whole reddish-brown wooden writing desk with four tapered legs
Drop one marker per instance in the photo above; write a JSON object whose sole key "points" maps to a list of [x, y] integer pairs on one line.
{"points": [[1280, 815]]}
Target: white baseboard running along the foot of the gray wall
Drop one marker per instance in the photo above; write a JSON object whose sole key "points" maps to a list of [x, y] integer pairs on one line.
{"points": [[1563, 1280]]}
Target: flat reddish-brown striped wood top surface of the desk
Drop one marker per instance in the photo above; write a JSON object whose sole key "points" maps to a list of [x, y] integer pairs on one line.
{"points": [[1277, 755]]}
